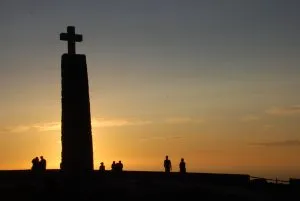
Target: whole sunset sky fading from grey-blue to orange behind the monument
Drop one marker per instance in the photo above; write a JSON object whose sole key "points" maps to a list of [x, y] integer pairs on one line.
{"points": [[215, 82]]}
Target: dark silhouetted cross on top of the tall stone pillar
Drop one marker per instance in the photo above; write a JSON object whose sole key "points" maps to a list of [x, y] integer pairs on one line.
{"points": [[72, 38]]}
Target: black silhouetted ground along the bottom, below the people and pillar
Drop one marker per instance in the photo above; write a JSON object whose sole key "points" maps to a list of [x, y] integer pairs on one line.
{"points": [[133, 185]]}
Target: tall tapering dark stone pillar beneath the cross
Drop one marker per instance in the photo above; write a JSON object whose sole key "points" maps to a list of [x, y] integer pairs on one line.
{"points": [[76, 134]]}
